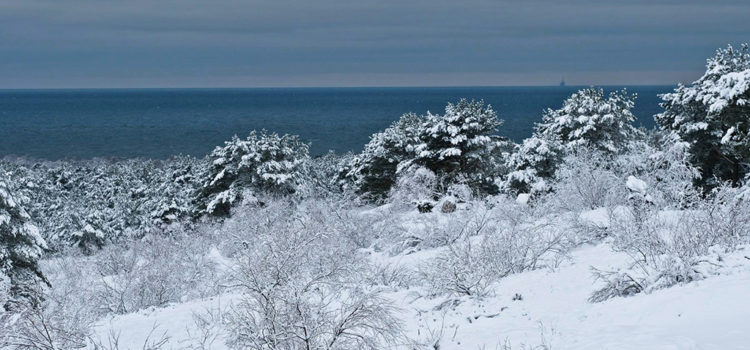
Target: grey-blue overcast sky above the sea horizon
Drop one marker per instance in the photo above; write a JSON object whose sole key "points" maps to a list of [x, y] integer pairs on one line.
{"points": [[289, 43]]}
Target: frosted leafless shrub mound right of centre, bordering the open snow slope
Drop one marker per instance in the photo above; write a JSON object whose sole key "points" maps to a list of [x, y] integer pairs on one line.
{"points": [[493, 245]]}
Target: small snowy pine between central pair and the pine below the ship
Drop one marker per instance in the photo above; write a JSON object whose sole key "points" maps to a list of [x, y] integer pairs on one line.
{"points": [[532, 166]]}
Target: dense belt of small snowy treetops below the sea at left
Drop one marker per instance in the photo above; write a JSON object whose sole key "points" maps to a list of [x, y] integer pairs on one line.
{"points": [[90, 203]]}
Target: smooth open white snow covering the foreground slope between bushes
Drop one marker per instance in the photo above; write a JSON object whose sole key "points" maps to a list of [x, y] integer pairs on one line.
{"points": [[544, 307]]}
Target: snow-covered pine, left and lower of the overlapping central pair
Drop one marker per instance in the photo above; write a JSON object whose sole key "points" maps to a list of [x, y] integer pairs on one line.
{"points": [[373, 172]]}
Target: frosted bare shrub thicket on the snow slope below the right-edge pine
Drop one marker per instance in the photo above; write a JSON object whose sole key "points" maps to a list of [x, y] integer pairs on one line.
{"points": [[675, 247]]}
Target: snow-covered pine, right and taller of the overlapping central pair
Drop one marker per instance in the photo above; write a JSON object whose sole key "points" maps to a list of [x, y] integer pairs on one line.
{"points": [[461, 145]]}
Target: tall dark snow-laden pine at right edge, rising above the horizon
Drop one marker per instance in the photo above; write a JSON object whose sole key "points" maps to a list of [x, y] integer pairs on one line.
{"points": [[713, 115]]}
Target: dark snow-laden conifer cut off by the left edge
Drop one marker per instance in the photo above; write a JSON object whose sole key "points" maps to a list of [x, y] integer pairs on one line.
{"points": [[21, 246]]}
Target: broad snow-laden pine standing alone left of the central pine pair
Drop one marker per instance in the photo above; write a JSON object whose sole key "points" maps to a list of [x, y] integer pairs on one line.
{"points": [[262, 162]]}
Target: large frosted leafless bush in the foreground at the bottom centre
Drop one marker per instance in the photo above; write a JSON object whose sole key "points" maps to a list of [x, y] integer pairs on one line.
{"points": [[302, 289]]}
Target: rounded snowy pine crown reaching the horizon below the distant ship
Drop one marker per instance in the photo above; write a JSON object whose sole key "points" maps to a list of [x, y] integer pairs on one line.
{"points": [[587, 119]]}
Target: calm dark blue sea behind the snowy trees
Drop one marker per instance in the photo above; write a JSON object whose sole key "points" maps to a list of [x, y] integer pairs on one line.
{"points": [[158, 123]]}
